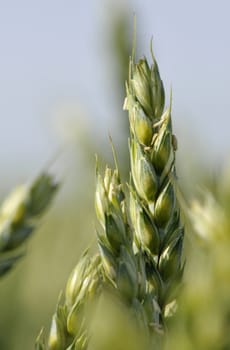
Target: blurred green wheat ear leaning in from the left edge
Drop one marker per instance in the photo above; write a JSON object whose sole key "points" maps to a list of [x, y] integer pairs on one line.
{"points": [[19, 216]]}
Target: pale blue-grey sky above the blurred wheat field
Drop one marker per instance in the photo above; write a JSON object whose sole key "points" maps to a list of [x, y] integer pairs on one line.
{"points": [[53, 55]]}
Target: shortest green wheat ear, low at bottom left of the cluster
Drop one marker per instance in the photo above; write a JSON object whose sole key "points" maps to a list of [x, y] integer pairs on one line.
{"points": [[69, 326]]}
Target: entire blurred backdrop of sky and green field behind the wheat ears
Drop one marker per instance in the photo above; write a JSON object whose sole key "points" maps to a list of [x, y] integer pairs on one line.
{"points": [[62, 87]]}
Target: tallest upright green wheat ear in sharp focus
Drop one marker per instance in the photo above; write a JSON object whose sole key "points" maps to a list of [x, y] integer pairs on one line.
{"points": [[154, 211]]}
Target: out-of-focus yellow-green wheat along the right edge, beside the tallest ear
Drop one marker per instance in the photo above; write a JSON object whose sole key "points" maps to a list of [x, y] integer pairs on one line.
{"points": [[203, 321]]}
